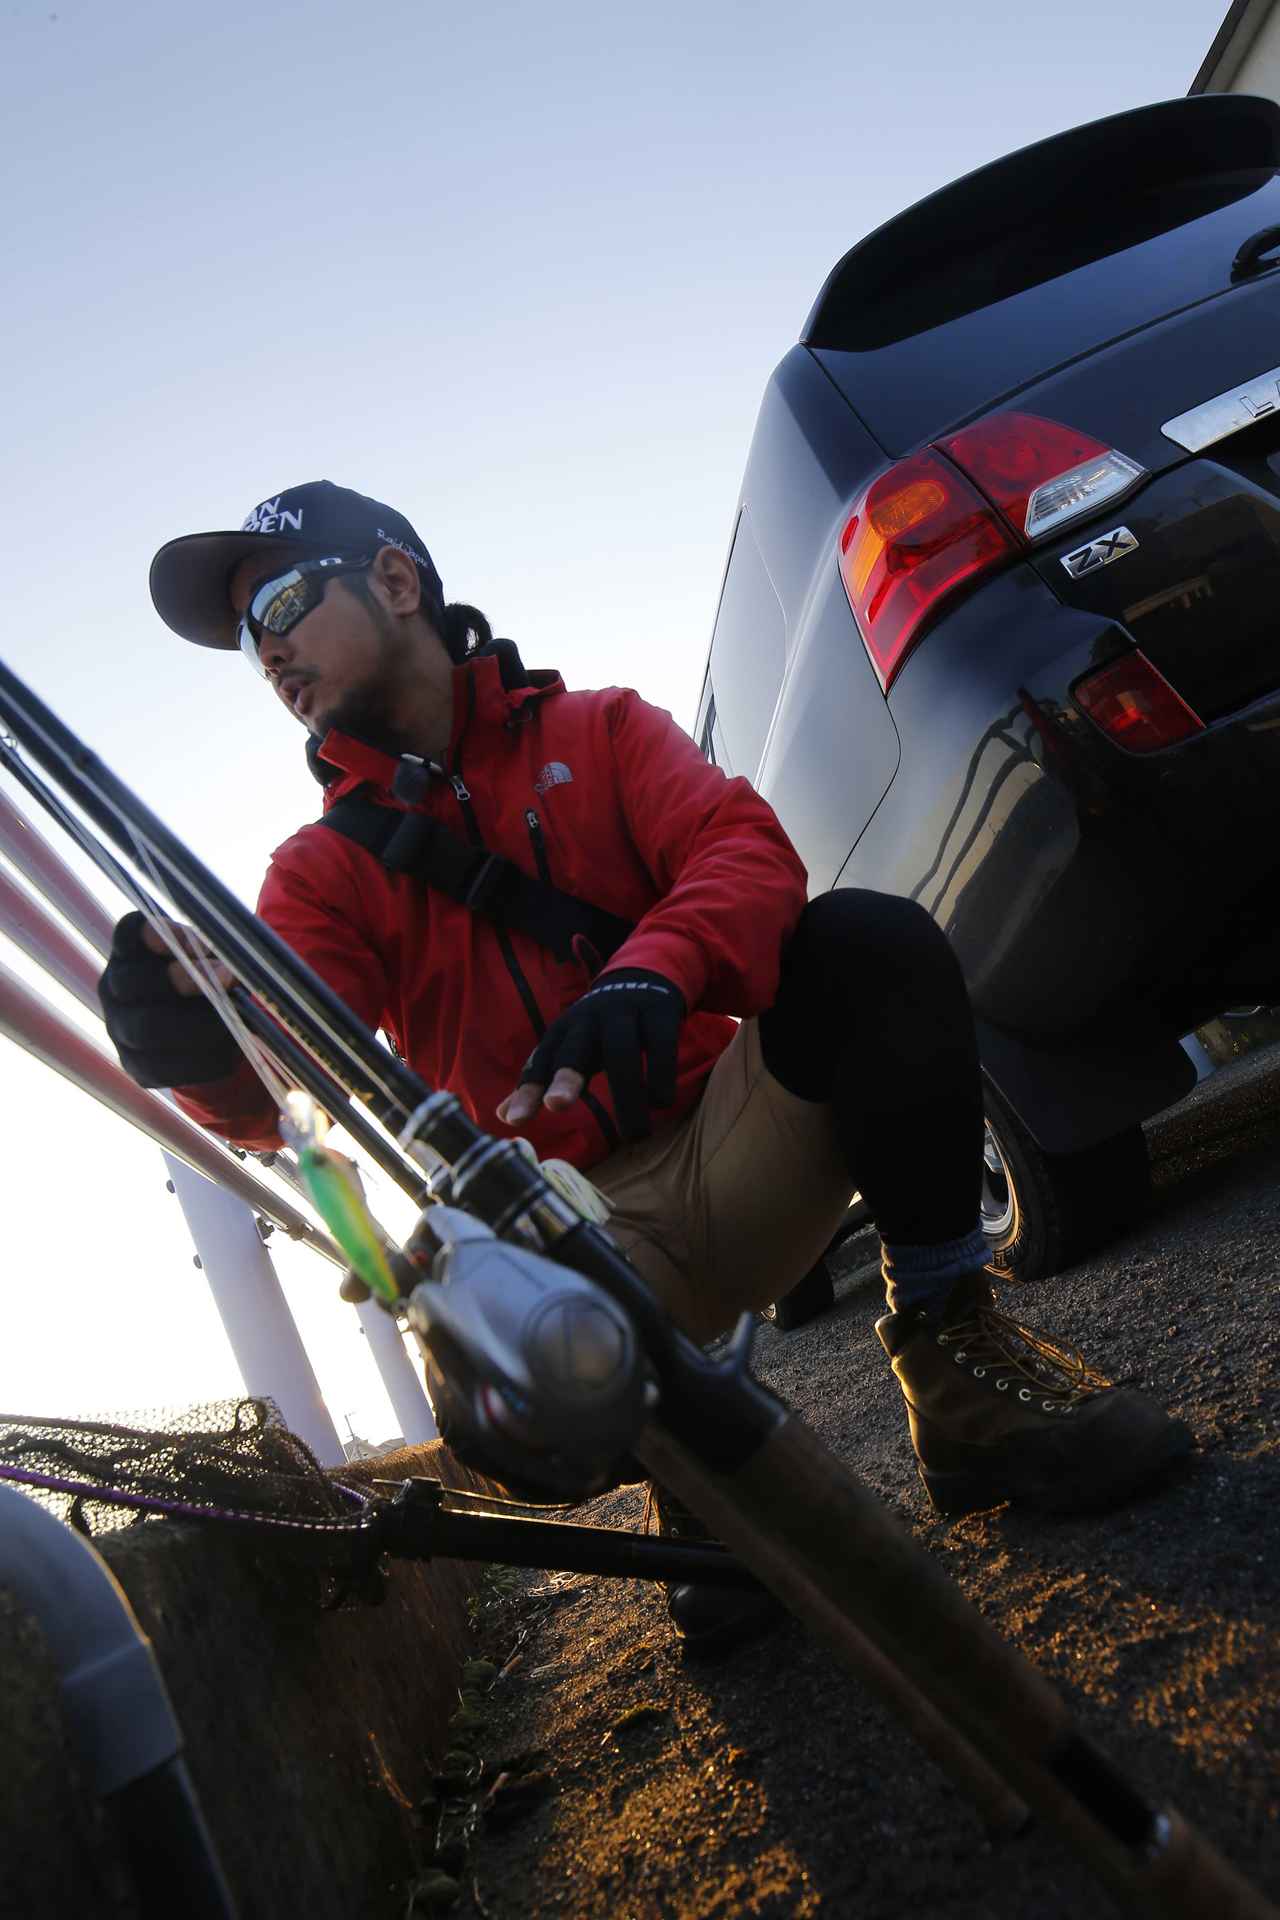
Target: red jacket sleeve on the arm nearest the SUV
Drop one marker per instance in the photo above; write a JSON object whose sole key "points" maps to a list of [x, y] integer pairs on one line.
{"points": [[730, 882]]}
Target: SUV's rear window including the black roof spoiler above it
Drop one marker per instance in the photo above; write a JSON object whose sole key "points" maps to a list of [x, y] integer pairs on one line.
{"points": [[1043, 256]]}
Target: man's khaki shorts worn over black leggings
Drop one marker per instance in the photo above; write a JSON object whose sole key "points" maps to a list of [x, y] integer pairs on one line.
{"points": [[734, 1205]]}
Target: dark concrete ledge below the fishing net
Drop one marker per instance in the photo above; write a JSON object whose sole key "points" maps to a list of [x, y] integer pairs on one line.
{"points": [[310, 1735]]}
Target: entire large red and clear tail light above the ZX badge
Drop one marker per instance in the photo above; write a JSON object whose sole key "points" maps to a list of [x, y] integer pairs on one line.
{"points": [[941, 519]]}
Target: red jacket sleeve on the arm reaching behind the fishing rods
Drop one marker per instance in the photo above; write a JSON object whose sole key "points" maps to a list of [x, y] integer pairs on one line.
{"points": [[321, 923]]}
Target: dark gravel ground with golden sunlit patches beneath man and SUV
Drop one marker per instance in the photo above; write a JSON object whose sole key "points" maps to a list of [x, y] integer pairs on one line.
{"points": [[648, 1787]]}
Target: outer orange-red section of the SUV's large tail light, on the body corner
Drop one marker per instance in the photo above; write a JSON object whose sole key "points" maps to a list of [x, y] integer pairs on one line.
{"points": [[913, 540]]}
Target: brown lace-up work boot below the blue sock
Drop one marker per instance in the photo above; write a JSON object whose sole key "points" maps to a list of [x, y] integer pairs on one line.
{"points": [[999, 1412]]}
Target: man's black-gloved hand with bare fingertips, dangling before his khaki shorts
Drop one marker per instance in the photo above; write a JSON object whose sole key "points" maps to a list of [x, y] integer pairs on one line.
{"points": [[627, 1026]]}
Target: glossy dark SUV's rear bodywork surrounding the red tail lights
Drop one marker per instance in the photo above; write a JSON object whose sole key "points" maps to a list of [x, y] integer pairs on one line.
{"points": [[1097, 900]]}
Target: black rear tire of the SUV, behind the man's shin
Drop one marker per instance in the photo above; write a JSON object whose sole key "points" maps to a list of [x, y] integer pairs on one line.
{"points": [[1043, 1212]]}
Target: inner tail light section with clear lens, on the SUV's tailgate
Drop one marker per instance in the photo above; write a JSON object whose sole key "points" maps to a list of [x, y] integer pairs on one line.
{"points": [[1039, 473]]}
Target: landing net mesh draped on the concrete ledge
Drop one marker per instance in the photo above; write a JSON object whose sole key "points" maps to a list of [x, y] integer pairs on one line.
{"points": [[229, 1460]]}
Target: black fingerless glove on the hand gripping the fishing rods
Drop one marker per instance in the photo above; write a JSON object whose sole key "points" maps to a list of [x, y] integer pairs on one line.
{"points": [[164, 1040]]}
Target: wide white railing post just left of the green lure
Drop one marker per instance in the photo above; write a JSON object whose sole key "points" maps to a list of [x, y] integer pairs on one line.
{"points": [[254, 1310]]}
